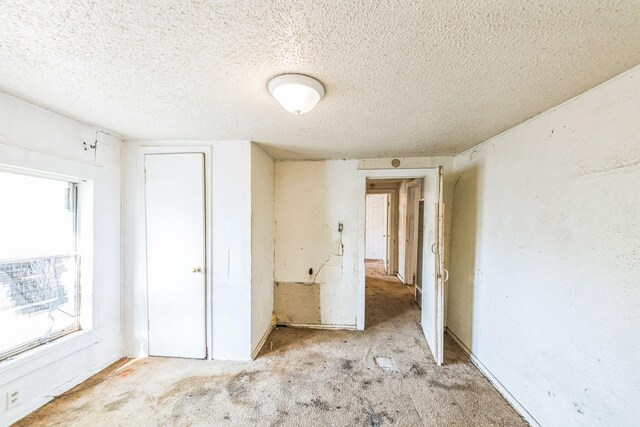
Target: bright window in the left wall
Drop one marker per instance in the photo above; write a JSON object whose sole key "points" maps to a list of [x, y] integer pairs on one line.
{"points": [[39, 261]]}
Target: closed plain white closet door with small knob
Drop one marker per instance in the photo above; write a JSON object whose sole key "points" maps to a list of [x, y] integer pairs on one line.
{"points": [[176, 281]]}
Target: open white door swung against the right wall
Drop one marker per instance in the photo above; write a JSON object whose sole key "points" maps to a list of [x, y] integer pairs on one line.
{"points": [[434, 274]]}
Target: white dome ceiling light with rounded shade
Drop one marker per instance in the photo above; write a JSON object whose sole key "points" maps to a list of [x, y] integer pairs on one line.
{"points": [[296, 93]]}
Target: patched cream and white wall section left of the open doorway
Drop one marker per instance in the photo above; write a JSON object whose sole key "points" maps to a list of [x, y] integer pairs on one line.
{"points": [[311, 198]]}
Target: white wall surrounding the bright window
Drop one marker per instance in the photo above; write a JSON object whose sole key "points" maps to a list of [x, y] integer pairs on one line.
{"points": [[34, 138]]}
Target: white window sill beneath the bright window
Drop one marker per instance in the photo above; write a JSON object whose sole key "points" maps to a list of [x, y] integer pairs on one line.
{"points": [[45, 354]]}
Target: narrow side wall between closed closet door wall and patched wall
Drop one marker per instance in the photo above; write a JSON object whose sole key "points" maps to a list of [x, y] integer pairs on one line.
{"points": [[262, 245]]}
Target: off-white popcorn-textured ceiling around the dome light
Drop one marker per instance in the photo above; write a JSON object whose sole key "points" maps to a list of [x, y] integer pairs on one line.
{"points": [[403, 78]]}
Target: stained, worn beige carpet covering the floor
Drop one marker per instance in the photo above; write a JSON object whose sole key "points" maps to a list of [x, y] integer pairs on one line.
{"points": [[301, 378]]}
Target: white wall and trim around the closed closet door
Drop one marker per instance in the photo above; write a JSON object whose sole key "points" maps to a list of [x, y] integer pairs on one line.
{"points": [[229, 216]]}
